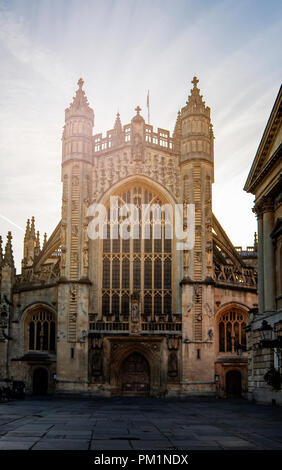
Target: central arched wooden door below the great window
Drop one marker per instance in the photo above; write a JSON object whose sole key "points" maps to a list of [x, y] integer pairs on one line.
{"points": [[135, 376]]}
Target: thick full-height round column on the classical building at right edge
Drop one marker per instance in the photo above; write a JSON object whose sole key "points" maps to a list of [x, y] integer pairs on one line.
{"points": [[268, 258]]}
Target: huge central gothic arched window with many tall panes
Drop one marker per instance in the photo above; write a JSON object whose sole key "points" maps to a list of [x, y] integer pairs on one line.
{"points": [[141, 264]]}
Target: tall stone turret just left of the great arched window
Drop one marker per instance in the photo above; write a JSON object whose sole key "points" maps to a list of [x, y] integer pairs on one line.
{"points": [[73, 289]]}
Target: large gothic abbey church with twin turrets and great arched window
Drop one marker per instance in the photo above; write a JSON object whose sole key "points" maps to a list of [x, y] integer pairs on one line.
{"points": [[130, 317]]}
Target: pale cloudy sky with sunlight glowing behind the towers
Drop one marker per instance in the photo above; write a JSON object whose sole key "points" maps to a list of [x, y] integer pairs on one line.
{"points": [[122, 48]]}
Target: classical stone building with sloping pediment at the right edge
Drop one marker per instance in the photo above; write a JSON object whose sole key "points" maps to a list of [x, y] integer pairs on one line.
{"points": [[265, 332]]}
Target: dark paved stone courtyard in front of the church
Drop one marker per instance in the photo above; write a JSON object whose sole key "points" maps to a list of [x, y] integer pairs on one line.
{"points": [[140, 424]]}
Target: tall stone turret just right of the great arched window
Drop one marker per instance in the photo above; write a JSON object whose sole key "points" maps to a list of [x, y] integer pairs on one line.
{"points": [[196, 154]]}
